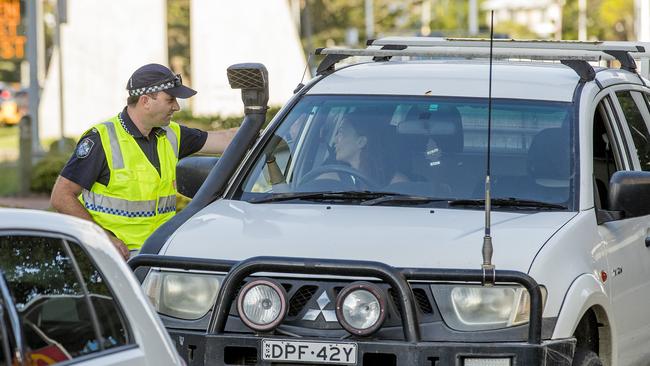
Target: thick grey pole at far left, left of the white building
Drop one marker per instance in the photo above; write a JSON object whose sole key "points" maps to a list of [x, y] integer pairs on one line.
{"points": [[34, 87]]}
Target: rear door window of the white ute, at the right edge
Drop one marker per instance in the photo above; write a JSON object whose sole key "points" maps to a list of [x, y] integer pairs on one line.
{"points": [[636, 124]]}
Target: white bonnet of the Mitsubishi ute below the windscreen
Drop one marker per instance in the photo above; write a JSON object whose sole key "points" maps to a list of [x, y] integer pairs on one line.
{"points": [[398, 236]]}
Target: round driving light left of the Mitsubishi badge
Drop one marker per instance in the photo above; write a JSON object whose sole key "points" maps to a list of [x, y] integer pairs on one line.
{"points": [[262, 304]]}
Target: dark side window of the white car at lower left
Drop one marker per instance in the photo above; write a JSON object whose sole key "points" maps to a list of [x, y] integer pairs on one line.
{"points": [[51, 301]]}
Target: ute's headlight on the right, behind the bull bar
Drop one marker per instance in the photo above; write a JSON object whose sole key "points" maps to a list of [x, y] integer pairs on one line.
{"points": [[473, 307]]}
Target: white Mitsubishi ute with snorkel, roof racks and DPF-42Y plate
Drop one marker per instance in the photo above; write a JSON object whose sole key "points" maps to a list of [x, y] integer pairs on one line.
{"points": [[352, 230]]}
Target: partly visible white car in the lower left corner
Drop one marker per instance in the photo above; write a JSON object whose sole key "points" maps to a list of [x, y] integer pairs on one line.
{"points": [[66, 296]]}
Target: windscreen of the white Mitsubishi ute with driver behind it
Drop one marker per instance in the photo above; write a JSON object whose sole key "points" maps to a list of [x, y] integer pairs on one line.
{"points": [[427, 150]]}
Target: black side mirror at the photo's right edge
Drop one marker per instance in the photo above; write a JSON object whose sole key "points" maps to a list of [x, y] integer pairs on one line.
{"points": [[629, 192]]}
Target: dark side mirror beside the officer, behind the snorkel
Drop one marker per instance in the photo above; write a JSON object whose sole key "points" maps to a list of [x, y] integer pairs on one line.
{"points": [[191, 172]]}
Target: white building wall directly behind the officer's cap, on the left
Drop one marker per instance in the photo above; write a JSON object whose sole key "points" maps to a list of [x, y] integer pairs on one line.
{"points": [[103, 43]]}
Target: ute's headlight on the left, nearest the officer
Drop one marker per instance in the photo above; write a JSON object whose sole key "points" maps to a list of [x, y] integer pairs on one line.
{"points": [[182, 295]]}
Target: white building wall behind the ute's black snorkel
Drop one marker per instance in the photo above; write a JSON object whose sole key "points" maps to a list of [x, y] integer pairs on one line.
{"points": [[228, 32]]}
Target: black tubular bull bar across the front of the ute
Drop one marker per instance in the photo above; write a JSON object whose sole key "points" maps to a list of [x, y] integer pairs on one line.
{"points": [[397, 278]]}
